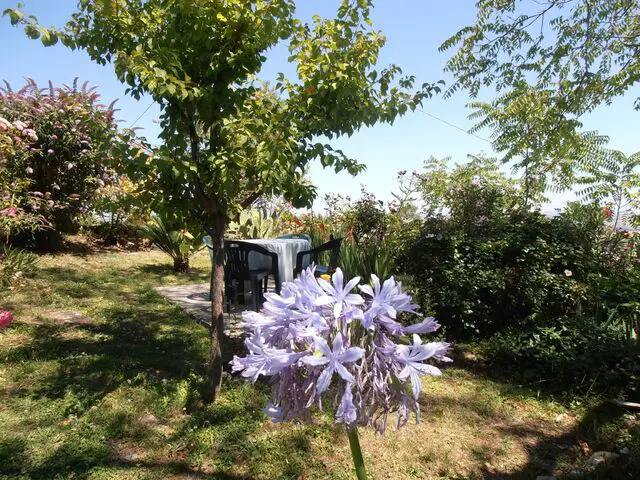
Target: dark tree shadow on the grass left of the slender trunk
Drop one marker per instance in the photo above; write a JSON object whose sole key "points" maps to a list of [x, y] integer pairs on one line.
{"points": [[99, 357]]}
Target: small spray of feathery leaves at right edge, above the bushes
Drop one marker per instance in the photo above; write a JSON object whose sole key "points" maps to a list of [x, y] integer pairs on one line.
{"points": [[615, 180]]}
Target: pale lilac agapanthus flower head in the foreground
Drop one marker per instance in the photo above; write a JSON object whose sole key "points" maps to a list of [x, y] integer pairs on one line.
{"points": [[323, 344]]}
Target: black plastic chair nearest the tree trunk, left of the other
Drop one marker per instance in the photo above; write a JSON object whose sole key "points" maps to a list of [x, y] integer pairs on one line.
{"points": [[236, 268]]}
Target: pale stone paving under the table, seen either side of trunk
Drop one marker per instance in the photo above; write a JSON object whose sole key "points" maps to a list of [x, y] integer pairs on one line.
{"points": [[194, 299]]}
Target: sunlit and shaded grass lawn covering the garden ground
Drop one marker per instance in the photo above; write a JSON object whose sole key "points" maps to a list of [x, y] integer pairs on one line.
{"points": [[115, 393]]}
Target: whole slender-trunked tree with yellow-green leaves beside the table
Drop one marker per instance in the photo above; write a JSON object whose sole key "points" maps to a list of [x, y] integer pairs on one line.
{"points": [[228, 137]]}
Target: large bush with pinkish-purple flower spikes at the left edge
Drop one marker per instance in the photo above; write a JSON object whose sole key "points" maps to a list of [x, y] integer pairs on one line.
{"points": [[57, 147]]}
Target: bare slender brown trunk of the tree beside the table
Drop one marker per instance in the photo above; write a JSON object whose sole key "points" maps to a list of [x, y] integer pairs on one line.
{"points": [[217, 309]]}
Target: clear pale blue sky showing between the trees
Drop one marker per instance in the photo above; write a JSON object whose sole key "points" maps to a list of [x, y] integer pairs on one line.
{"points": [[414, 30]]}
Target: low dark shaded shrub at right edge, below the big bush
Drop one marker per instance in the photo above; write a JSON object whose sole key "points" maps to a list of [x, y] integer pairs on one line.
{"points": [[578, 355]]}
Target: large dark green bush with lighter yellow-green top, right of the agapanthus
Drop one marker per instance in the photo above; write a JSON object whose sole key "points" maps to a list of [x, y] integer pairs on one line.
{"points": [[490, 262]]}
